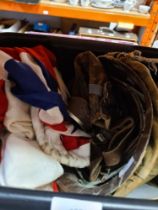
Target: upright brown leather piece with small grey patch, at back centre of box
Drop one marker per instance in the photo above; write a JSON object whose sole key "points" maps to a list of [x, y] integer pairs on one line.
{"points": [[89, 72]]}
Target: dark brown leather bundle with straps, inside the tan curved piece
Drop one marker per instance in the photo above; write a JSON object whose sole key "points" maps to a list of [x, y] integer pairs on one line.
{"points": [[117, 113]]}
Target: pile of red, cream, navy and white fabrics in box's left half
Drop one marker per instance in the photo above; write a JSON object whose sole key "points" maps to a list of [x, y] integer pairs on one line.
{"points": [[38, 135]]}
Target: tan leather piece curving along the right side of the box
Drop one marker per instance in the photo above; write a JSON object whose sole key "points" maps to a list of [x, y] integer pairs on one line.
{"points": [[146, 68]]}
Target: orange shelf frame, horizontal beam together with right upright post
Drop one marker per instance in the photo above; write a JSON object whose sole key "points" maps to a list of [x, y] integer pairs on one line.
{"points": [[46, 7]]}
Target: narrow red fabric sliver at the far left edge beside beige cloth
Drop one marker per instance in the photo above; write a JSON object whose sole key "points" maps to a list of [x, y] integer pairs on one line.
{"points": [[3, 103]]}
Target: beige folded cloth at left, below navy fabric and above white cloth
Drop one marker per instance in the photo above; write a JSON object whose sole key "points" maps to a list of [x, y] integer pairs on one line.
{"points": [[17, 118]]}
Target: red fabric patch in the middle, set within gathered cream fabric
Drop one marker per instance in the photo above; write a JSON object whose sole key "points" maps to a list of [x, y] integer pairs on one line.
{"points": [[73, 142]]}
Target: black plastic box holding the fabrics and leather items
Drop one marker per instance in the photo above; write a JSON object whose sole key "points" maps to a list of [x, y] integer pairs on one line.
{"points": [[66, 48]]}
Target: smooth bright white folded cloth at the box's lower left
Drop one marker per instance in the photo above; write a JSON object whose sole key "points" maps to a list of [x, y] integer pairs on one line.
{"points": [[24, 165]]}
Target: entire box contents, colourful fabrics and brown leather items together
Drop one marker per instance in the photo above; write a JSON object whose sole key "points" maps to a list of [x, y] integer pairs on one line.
{"points": [[98, 137]]}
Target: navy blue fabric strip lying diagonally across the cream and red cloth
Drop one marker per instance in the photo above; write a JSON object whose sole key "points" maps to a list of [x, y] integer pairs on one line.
{"points": [[30, 89]]}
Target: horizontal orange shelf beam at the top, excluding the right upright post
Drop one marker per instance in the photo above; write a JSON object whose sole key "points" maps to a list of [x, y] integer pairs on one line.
{"points": [[67, 11]]}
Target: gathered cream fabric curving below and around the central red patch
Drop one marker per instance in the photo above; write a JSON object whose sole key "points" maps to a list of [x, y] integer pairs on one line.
{"points": [[49, 140]]}
